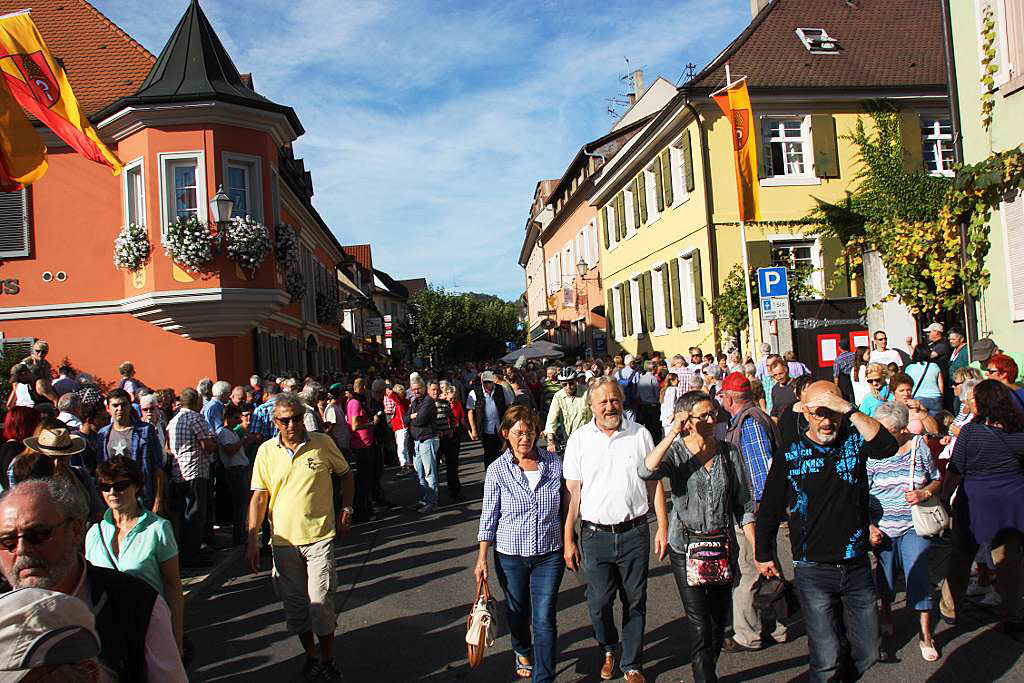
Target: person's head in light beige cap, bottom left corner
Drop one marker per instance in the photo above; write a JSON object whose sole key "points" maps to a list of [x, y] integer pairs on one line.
{"points": [[48, 634]]}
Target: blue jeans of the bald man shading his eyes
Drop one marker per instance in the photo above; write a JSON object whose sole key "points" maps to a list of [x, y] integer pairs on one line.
{"points": [[838, 601]]}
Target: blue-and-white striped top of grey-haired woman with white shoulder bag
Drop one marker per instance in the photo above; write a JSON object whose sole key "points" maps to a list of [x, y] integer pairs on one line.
{"points": [[889, 480]]}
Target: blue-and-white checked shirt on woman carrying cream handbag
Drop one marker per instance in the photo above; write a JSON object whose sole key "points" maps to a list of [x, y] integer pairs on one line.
{"points": [[519, 521]]}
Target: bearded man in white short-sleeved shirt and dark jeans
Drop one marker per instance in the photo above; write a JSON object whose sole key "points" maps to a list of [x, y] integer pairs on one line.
{"points": [[613, 502]]}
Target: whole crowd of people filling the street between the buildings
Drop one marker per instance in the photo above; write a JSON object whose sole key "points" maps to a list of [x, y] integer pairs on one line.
{"points": [[770, 487]]}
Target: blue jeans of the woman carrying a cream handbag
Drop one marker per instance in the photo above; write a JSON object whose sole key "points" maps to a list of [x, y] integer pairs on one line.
{"points": [[531, 586]]}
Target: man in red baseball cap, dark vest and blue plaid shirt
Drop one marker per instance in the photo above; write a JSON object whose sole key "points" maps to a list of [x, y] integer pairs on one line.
{"points": [[756, 437]]}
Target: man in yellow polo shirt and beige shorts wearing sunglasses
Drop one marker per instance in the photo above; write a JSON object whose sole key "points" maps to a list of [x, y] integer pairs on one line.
{"points": [[292, 478]]}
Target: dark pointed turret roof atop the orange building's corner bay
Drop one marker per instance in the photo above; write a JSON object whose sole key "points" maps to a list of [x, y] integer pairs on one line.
{"points": [[194, 66]]}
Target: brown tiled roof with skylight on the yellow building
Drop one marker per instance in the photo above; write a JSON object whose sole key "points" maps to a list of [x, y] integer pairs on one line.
{"points": [[884, 46]]}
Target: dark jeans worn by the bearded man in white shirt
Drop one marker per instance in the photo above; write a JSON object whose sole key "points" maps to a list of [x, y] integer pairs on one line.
{"points": [[618, 564]]}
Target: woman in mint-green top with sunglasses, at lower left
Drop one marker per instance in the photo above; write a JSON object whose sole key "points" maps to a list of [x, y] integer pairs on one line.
{"points": [[133, 540]]}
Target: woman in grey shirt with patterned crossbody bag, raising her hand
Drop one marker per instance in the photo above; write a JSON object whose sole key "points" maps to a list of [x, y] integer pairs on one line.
{"points": [[710, 494]]}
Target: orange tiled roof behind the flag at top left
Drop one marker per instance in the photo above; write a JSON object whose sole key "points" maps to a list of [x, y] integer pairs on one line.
{"points": [[103, 62]]}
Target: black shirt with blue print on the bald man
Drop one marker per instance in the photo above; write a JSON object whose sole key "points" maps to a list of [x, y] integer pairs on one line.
{"points": [[825, 489]]}
